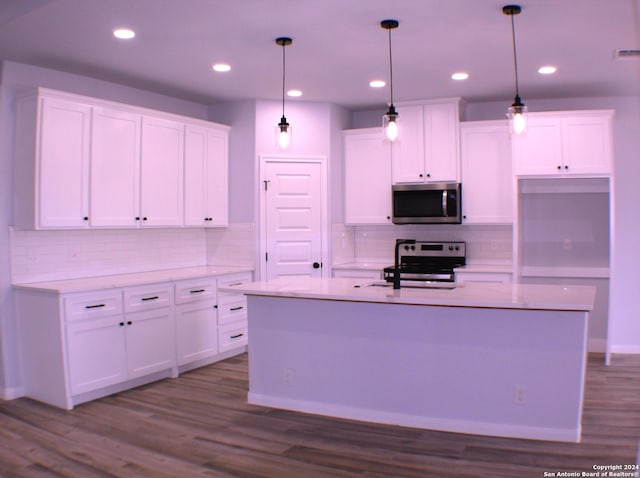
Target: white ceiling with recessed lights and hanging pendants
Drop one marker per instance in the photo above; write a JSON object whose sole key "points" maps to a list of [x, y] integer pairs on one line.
{"points": [[338, 46]]}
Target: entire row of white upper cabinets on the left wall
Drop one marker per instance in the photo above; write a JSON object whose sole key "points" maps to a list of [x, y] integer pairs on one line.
{"points": [[83, 162]]}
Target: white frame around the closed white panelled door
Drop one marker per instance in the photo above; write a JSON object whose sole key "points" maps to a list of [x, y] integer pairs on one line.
{"points": [[265, 159]]}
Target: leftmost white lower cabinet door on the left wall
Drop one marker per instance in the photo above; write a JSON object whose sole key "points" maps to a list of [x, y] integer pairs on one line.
{"points": [[96, 353]]}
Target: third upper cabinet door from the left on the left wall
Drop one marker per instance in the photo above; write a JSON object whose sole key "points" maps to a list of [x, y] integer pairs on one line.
{"points": [[161, 188]]}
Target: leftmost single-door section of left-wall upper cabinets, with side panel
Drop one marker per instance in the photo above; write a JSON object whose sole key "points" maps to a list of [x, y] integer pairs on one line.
{"points": [[52, 164]]}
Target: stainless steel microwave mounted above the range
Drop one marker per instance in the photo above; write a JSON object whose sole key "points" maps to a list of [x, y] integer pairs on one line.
{"points": [[427, 203]]}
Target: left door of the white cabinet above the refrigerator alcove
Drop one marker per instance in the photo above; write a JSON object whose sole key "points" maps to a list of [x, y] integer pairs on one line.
{"points": [[539, 150]]}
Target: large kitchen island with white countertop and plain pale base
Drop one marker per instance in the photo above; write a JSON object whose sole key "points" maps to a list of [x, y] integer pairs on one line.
{"points": [[492, 359]]}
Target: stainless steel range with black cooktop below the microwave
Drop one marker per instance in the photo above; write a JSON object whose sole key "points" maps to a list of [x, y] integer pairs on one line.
{"points": [[423, 263]]}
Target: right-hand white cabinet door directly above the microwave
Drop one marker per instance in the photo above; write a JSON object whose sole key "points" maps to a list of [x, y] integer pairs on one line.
{"points": [[442, 157]]}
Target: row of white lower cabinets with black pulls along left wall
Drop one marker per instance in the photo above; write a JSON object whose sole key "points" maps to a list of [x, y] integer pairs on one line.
{"points": [[85, 345]]}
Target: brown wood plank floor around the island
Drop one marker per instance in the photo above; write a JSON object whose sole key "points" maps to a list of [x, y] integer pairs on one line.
{"points": [[200, 425]]}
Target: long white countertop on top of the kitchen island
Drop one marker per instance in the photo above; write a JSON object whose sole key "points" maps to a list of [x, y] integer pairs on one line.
{"points": [[489, 295]]}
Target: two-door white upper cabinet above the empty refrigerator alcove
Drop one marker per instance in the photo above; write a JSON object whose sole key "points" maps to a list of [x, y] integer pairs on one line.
{"points": [[565, 143]]}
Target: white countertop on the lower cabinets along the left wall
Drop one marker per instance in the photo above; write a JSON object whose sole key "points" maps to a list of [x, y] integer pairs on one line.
{"points": [[129, 280]]}
